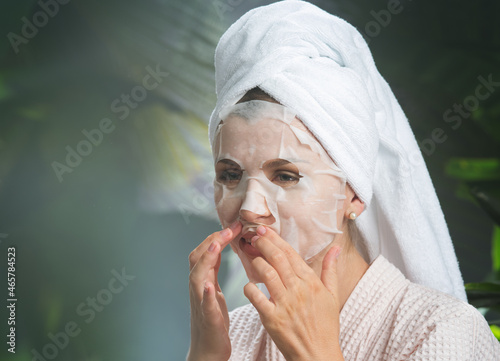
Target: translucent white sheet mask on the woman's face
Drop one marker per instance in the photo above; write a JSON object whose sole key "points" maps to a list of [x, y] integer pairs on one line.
{"points": [[270, 170]]}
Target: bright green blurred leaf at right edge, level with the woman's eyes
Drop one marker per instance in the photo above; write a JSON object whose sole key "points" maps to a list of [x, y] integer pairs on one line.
{"points": [[474, 169]]}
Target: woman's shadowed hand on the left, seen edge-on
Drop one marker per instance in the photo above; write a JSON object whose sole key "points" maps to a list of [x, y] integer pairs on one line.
{"points": [[209, 316]]}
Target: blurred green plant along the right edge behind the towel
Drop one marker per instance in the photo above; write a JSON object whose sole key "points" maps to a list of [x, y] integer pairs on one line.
{"points": [[480, 183]]}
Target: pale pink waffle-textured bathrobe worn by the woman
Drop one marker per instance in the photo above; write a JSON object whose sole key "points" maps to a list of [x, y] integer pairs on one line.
{"points": [[386, 317]]}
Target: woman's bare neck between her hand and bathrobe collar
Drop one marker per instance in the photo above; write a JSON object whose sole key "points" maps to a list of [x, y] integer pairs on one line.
{"points": [[351, 266]]}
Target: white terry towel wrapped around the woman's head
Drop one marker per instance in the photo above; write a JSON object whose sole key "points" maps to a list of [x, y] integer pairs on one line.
{"points": [[320, 66]]}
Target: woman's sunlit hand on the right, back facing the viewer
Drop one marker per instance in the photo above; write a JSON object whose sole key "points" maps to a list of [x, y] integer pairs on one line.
{"points": [[302, 315]]}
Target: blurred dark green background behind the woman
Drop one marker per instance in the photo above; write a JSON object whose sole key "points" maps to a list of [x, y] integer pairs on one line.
{"points": [[139, 200]]}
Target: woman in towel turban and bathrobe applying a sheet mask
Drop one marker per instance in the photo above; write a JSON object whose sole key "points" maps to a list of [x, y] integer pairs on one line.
{"points": [[325, 197]]}
